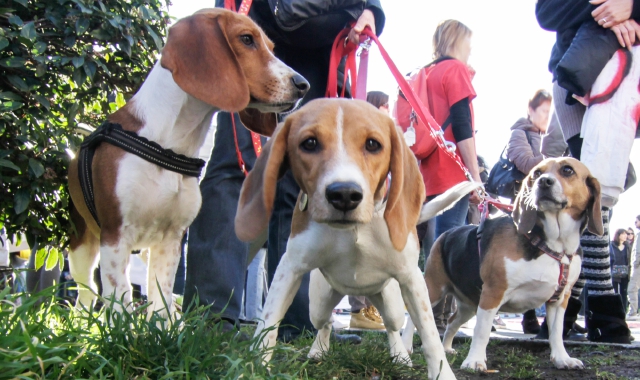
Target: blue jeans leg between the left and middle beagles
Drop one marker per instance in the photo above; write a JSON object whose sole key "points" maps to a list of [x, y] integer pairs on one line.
{"points": [[216, 259]]}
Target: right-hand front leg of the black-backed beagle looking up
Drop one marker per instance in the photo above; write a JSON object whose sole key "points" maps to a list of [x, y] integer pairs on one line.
{"points": [[555, 321]]}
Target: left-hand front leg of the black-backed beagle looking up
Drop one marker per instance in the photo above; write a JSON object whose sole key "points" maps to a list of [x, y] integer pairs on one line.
{"points": [[490, 302]]}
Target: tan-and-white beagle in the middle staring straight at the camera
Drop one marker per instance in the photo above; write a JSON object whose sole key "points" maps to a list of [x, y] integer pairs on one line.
{"points": [[353, 235]]}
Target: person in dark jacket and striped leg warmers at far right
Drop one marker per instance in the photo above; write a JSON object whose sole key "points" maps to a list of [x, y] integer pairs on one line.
{"points": [[603, 309]]}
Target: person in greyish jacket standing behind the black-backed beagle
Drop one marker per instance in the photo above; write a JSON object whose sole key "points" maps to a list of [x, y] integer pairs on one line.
{"points": [[523, 150]]}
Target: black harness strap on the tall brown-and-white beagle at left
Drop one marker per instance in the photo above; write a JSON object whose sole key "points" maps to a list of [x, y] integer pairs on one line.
{"points": [[113, 134]]}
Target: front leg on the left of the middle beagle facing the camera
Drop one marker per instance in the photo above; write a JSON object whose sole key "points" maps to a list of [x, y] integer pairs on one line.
{"points": [[286, 282]]}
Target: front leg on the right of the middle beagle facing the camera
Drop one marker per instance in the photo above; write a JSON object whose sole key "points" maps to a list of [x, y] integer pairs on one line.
{"points": [[416, 297]]}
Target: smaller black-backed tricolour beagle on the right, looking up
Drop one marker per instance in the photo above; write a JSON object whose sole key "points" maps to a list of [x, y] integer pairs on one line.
{"points": [[518, 263]]}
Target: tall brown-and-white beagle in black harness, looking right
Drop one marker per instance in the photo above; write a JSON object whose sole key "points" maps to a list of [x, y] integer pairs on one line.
{"points": [[213, 60]]}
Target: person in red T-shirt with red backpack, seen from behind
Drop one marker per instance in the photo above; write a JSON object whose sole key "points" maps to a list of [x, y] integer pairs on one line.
{"points": [[444, 86]]}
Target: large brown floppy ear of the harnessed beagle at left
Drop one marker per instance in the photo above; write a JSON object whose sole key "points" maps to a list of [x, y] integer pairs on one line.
{"points": [[199, 57]]}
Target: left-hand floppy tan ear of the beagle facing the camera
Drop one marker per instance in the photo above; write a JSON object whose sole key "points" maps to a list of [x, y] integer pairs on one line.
{"points": [[259, 188]]}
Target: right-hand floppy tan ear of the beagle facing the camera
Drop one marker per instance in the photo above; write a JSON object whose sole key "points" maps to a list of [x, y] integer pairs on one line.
{"points": [[406, 194]]}
